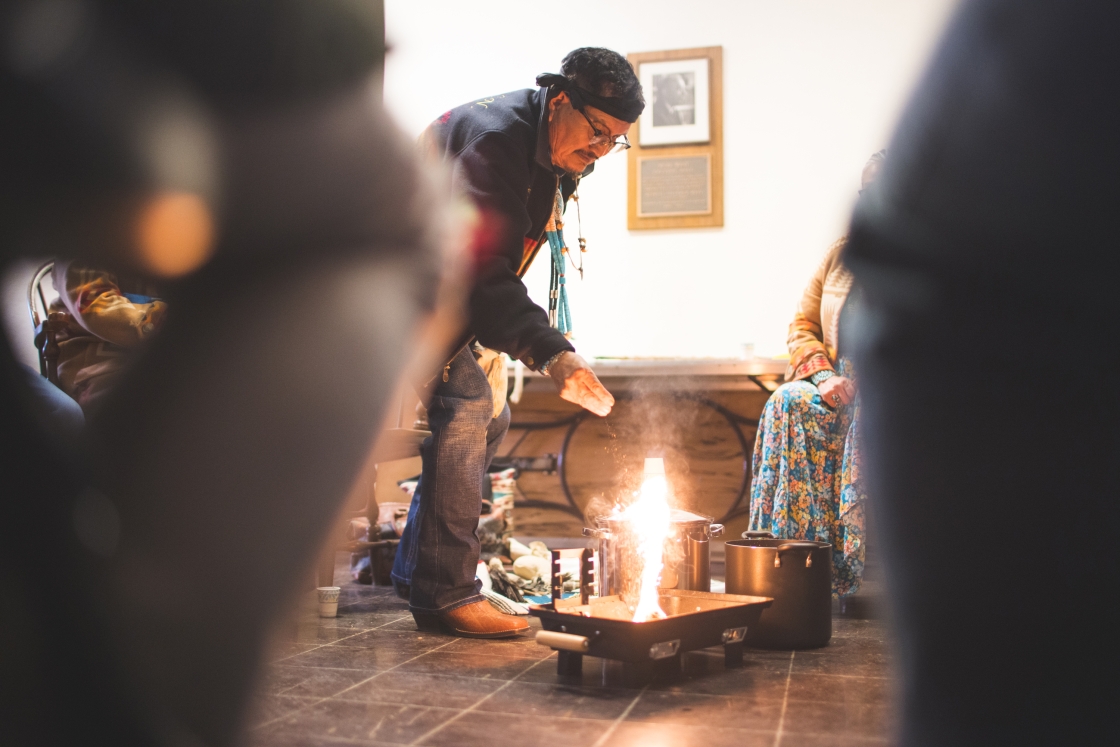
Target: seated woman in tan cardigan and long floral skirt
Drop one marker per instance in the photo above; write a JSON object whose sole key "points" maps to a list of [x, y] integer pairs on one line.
{"points": [[806, 482]]}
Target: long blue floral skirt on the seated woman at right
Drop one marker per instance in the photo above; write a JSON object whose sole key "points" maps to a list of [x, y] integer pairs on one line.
{"points": [[807, 481]]}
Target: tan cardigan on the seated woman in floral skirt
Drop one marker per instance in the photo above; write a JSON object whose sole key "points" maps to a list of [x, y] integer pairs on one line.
{"points": [[813, 338]]}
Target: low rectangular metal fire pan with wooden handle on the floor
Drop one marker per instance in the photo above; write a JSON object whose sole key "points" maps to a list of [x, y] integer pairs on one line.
{"points": [[697, 620]]}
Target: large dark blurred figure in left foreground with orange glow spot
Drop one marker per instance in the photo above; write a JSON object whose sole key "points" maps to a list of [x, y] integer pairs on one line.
{"points": [[237, 152]]}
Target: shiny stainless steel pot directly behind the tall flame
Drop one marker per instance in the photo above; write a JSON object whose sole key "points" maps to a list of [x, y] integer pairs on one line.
{"points": [[688, 555]]}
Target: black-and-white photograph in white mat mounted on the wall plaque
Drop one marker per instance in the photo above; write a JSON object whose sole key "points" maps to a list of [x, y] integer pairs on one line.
{"points": [[678, 102]]}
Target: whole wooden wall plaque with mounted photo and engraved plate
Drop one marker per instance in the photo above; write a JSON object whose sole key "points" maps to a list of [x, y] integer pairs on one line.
{"points": [[676, 169]]}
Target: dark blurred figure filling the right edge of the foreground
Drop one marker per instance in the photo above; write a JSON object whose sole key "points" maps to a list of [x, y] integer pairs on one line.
{"points": [[990, 353]]}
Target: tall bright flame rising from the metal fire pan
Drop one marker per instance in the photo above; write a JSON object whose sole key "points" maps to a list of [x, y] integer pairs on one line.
{"points": [[649, 519]]}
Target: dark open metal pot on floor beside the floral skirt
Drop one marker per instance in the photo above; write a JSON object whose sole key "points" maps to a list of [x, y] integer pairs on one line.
{"points": [[798, 575]]}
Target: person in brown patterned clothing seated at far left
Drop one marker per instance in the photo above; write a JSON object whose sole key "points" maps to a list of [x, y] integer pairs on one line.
{"points": [[109, 315]]}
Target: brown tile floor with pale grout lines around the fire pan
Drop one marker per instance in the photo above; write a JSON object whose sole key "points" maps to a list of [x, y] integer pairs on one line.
{"points": [[369, 678]]}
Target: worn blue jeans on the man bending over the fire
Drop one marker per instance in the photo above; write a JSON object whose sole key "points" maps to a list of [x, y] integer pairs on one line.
{"points": [[440, 550]]}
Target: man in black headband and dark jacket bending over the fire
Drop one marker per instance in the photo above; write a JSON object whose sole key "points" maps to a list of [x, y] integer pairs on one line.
{"points": [[519, 157]]}
